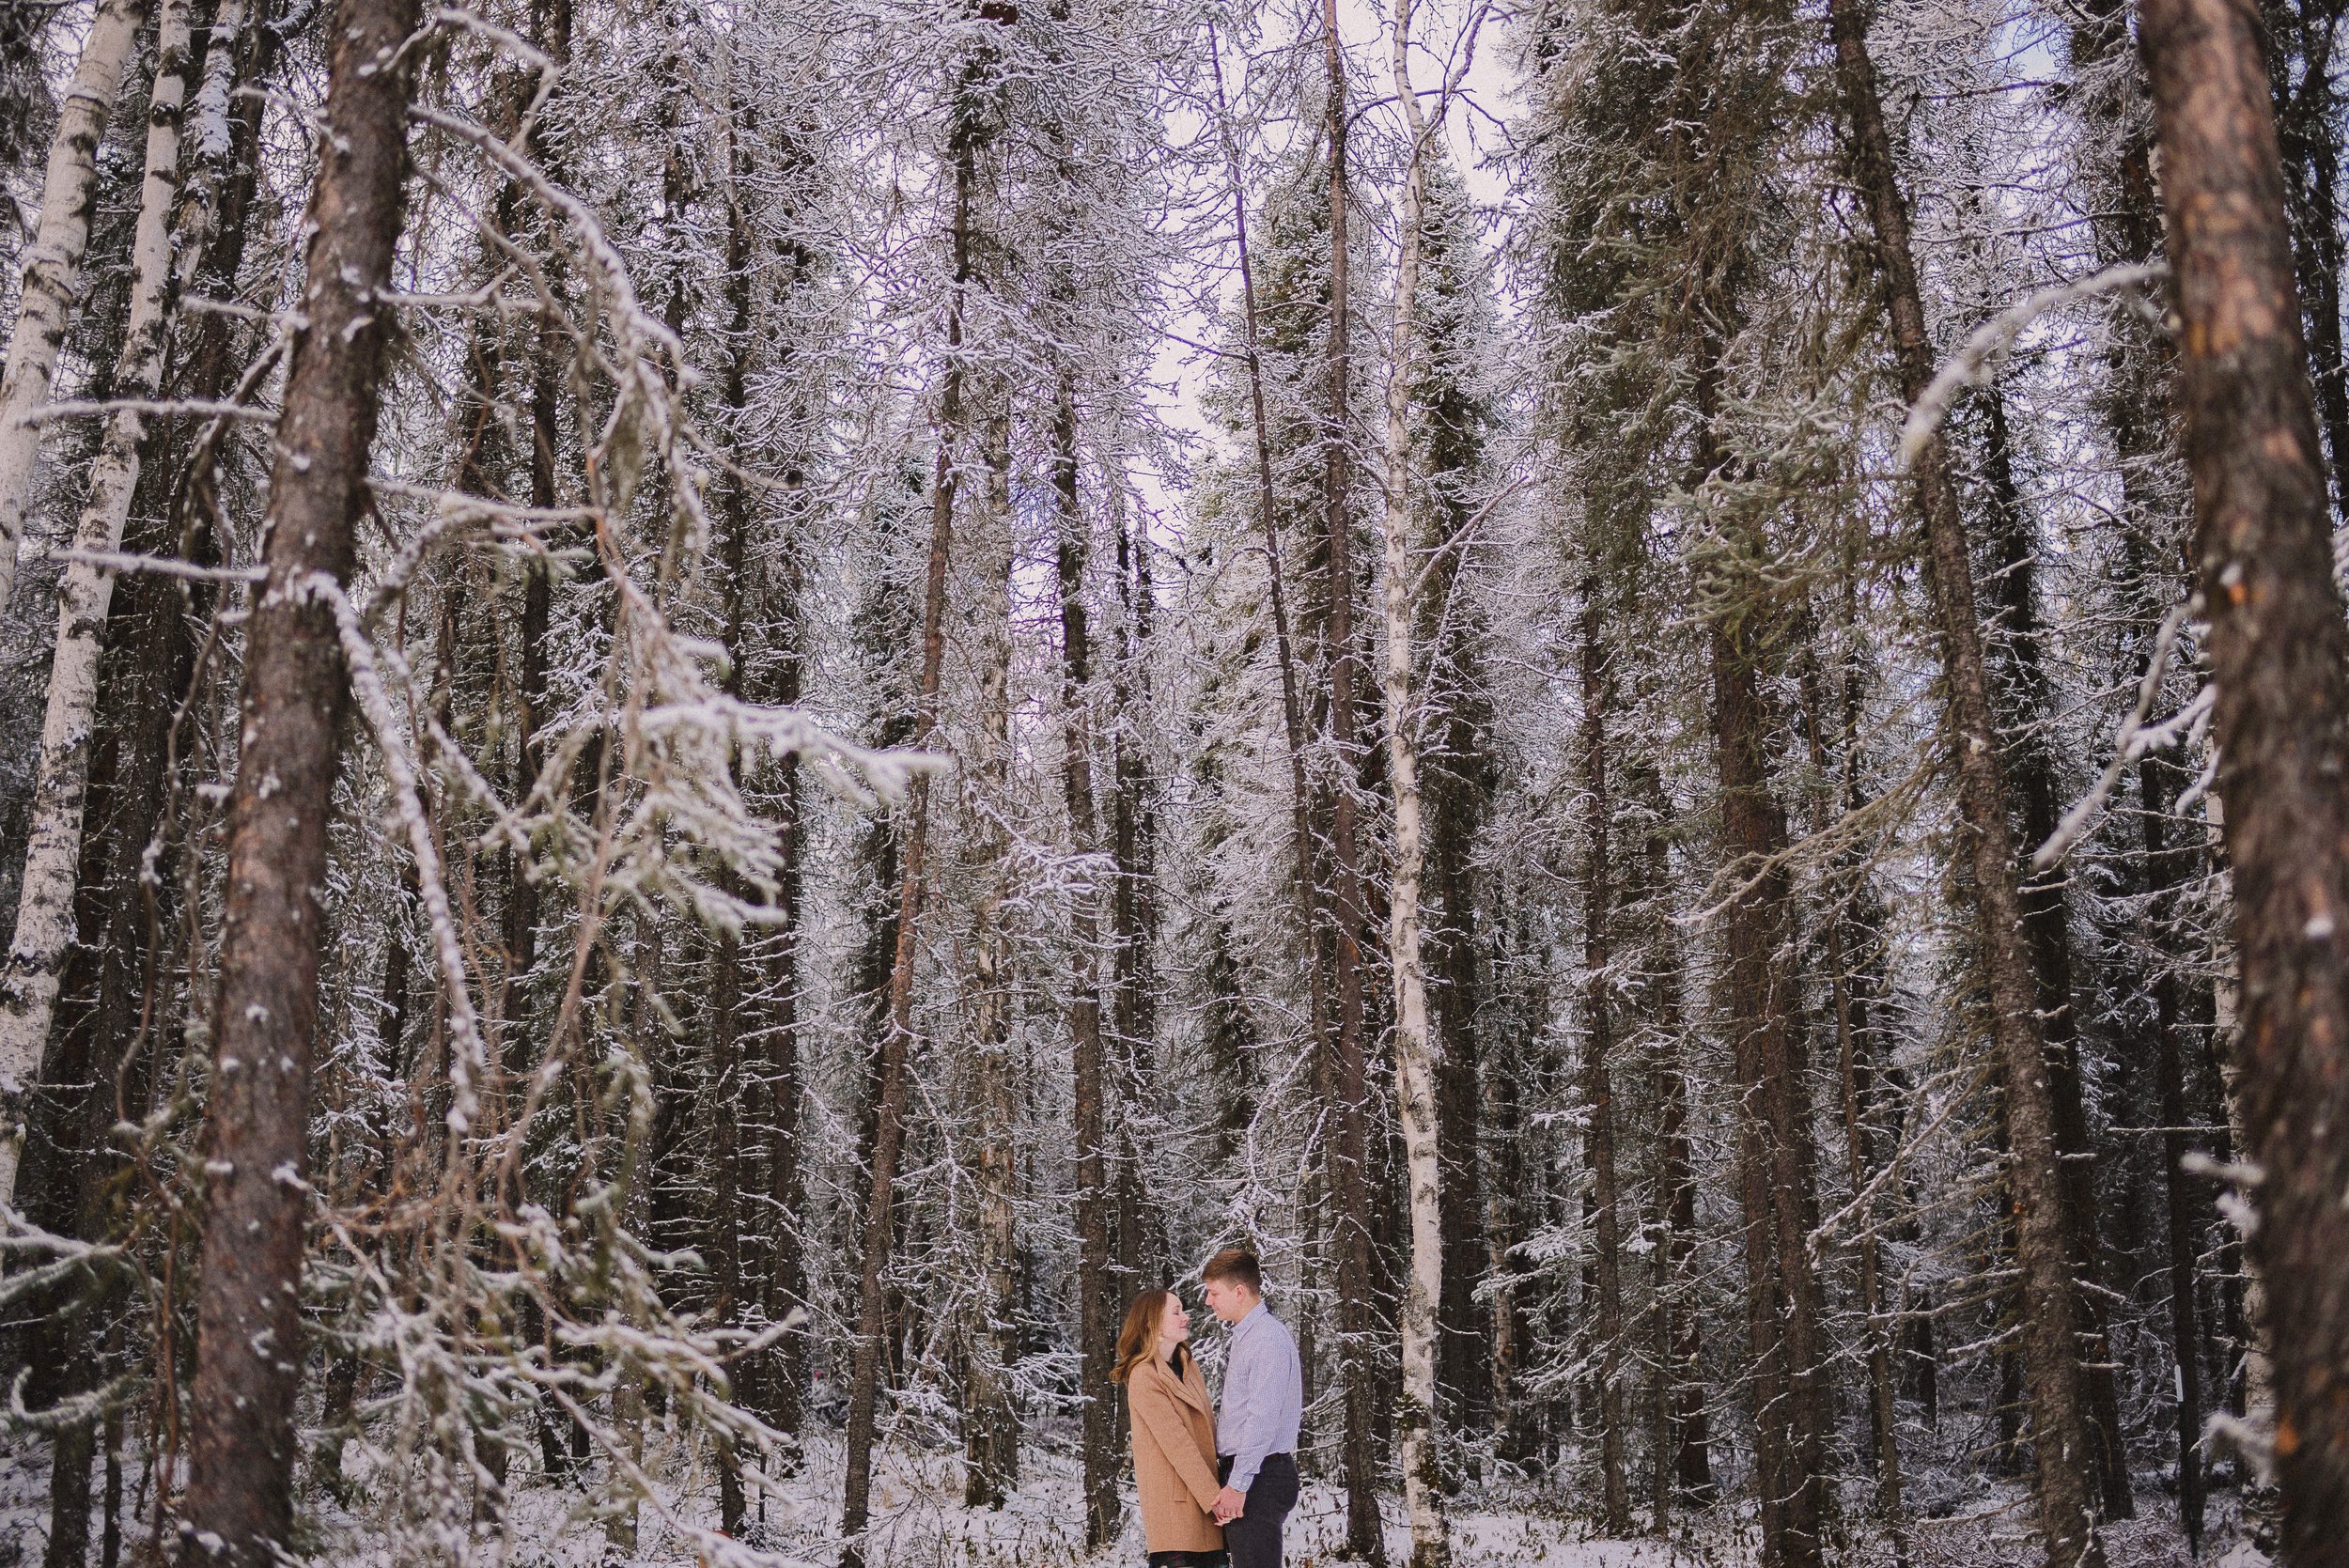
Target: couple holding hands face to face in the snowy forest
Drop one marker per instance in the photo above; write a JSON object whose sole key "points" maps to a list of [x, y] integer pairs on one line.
{"points": [[1213, 1487]]}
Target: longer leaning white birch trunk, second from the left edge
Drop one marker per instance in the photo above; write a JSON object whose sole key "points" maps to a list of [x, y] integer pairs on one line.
{"points": [[55, 849]]}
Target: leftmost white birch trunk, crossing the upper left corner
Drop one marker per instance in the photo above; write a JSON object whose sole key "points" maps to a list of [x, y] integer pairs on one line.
{"points": [[53, 269]]}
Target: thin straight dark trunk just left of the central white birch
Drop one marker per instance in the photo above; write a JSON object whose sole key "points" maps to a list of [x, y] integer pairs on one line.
{"points": [[1350, 1177]]}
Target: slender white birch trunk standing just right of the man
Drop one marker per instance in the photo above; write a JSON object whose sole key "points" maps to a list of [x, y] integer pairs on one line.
{"points": [[1415, 1057]]}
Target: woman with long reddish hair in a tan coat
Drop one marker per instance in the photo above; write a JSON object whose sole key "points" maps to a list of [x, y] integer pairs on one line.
{"points": [[1173, 1431]]}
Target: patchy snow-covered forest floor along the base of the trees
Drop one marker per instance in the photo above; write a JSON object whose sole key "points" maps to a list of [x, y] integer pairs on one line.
{"points": [[920, 1522]]}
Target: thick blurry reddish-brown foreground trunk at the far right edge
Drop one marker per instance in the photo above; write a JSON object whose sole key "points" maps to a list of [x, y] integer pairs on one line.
{"points": [[2277, 656]]}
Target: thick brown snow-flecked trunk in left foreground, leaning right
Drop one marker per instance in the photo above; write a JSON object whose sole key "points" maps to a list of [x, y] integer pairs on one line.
{"points": [[248, 1358]]}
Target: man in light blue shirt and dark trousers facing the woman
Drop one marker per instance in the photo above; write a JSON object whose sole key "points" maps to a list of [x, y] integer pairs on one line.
{"points": [[1256, 1428]]}
